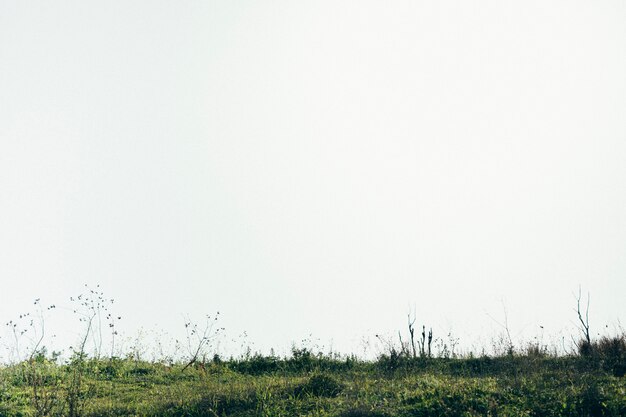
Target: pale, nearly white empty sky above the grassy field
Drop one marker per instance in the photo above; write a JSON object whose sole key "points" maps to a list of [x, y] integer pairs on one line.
{"points": [[315, 171]]}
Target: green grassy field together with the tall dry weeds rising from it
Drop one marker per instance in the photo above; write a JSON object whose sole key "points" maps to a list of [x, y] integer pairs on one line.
{"points": [[406, 380]]}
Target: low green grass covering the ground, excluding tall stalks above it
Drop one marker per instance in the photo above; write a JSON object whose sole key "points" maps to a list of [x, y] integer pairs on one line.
{"points": [[314, 385]]}
